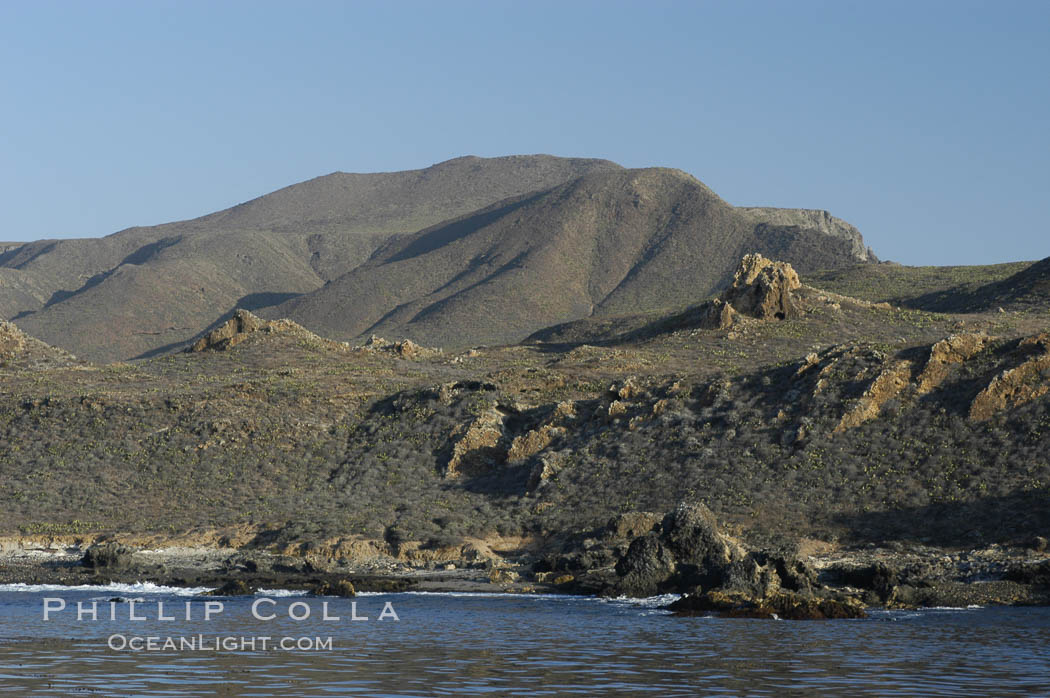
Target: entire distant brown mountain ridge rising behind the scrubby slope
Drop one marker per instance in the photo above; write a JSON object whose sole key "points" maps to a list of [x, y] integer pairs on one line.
{"points": [[472, 251]]}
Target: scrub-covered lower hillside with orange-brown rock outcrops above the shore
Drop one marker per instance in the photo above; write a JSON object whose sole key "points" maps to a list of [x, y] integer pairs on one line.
{"points": [[791, 412]]}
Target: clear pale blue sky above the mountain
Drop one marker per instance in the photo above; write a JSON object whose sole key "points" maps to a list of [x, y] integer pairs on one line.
{"points": [[926, 124]]}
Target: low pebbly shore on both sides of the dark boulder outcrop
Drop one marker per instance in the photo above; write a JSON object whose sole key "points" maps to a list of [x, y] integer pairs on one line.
{"points": [[871, 579]]}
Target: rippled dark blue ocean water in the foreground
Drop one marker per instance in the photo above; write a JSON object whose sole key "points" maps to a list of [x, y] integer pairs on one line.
{"points": [[502, 645]]}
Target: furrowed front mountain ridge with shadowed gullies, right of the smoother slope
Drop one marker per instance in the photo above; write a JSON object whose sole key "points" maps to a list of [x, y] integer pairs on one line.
{"points": [[606, 244]]}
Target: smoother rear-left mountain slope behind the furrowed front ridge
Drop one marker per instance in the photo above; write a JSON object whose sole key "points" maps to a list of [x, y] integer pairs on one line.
{"points": [[146, 290]]}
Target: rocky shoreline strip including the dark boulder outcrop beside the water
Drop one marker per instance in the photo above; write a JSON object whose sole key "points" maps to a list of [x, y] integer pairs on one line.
{"points": [[637, 556]]}
